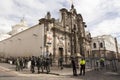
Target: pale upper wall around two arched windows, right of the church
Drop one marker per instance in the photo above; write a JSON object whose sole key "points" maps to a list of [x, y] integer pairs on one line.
{"points": [[107, 41]]}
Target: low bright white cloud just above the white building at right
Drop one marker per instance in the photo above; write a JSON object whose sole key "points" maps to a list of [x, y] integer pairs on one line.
{"points": [[107, 27]]}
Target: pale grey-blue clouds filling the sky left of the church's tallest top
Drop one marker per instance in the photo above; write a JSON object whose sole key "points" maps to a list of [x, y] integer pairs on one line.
{"points": [[13, 10]]}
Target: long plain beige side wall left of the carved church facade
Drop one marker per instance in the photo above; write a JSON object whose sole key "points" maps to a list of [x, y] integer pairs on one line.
{"points": [[25, 43]]}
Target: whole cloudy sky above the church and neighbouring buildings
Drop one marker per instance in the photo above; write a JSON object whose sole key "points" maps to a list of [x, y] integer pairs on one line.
{"points": [[102, 17]]}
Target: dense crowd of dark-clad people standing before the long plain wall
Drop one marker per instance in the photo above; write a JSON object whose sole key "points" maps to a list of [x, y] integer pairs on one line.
{"points": [[42, 63]]}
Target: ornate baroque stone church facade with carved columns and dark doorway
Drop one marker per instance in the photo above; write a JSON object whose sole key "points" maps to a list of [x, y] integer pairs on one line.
{"points": [[66, 37]]}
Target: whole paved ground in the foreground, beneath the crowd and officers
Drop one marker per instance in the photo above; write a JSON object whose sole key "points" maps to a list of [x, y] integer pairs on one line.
{"points": [[7, 72]]}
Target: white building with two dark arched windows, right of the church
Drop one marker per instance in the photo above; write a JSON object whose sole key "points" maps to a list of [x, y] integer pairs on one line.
{"points": [[104, 46]]}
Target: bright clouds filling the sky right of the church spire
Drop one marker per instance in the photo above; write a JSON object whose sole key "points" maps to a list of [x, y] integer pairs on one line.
{"points": [[101, 16]]}
